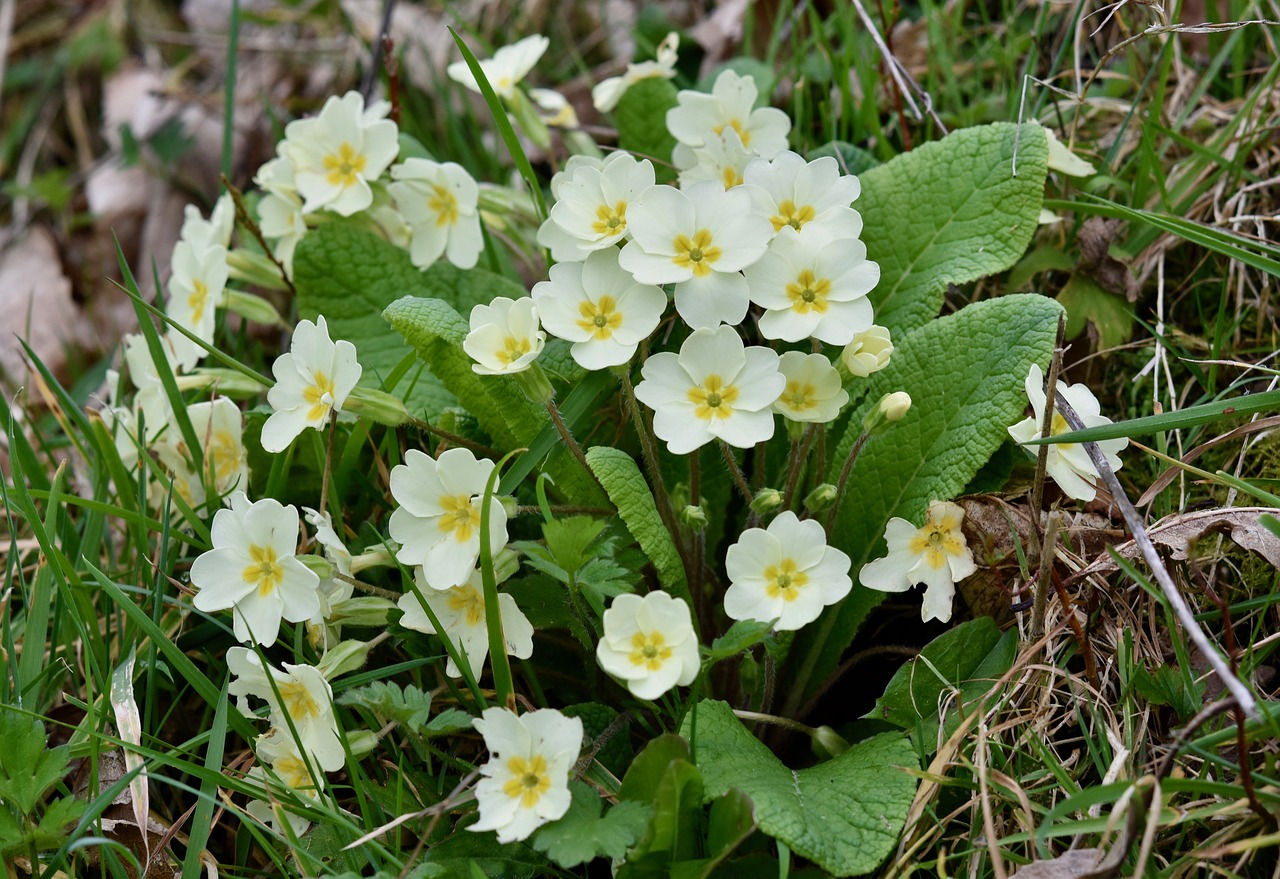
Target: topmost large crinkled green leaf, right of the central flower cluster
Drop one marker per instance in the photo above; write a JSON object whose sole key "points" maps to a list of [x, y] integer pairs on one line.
{"points": [[949, 213]]}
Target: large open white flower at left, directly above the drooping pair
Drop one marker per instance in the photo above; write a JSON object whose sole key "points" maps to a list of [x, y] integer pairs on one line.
{"points": [[253, 570]]}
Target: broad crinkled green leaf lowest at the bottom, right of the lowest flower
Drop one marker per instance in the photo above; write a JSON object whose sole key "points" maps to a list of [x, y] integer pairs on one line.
{"points": [[844, 816]]}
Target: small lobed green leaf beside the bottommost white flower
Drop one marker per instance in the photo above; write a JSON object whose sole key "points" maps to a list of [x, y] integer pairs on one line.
{"points": [[583, 835]]}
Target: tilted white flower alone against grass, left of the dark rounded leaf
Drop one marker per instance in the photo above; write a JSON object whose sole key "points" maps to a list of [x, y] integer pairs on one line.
{"points": [[312, 382]]}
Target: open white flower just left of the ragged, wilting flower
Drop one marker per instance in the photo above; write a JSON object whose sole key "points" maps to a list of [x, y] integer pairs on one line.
{"points": [[785, 573]]}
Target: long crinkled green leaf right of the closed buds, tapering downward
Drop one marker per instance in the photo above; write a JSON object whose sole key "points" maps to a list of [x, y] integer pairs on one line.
{"points": [[961, 413]]}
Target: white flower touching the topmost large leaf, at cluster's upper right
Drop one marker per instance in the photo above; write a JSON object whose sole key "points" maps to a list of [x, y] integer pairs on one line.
{"points": [[793, 193]]}
